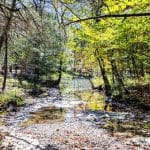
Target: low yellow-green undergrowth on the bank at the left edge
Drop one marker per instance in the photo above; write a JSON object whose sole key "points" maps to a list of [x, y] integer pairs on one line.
{"points": [[16, 95]]}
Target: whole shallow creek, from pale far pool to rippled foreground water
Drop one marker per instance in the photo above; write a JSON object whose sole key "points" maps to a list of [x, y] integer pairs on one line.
{"points": [[76, 100]]}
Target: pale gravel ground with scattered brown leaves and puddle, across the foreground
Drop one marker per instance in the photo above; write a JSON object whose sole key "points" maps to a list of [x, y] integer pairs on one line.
{"points": [[50, 123]]}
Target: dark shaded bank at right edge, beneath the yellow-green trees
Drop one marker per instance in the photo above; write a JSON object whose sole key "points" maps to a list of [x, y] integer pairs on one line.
{"points": [[137, 100]]}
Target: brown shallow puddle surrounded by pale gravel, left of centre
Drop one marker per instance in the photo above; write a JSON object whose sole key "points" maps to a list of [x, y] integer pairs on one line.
{"points": [[49, 114]]}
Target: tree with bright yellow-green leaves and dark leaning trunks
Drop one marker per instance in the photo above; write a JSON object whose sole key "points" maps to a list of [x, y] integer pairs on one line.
{"points": [[108, 38]]}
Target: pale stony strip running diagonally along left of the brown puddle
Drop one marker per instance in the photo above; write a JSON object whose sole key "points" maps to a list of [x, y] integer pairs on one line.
{"points": [[13, 119]]}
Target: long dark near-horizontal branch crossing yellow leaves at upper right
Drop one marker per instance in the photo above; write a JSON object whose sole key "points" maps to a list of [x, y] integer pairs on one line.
{"points": [[110, 16]]}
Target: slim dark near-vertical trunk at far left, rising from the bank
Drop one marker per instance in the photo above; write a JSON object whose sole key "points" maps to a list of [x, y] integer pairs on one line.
{"points": [[5, 63]]}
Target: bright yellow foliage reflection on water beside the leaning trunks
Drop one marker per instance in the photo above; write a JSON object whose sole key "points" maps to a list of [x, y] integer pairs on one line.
{"points": [[94, 100]]}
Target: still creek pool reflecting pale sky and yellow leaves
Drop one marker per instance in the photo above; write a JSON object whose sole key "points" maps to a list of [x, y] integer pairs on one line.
{"points": [[82, 89]]}
